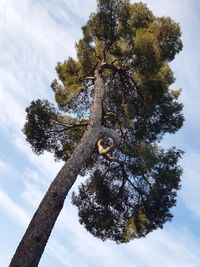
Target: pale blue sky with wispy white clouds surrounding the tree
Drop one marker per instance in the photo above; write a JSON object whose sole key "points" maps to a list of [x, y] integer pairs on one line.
{"points": [[34, 36]]}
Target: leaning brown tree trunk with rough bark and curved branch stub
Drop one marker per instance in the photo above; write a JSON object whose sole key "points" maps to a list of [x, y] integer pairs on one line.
{"points": [[33, 243]]}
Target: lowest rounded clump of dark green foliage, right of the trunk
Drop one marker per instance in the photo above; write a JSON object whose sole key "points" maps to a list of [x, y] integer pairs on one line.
{"points": [[118, 209]]}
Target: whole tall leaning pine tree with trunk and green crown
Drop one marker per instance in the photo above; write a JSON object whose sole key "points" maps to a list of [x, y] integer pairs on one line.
{"points": [[114, 105]]}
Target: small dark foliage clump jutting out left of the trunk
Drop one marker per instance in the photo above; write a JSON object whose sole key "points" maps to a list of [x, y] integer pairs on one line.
{"points": [[46, 129]]}
